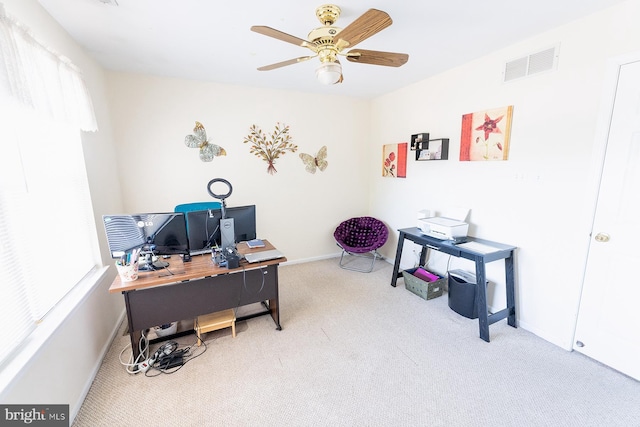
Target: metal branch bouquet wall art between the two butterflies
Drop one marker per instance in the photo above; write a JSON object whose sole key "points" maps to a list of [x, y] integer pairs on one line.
{"points": [[269, 150]]}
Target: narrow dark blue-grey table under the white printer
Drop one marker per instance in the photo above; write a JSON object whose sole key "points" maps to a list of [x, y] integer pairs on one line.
{"points": [[480, 258]]}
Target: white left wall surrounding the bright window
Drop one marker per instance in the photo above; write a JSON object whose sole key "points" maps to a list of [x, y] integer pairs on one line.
{"points": [[61, 372]]}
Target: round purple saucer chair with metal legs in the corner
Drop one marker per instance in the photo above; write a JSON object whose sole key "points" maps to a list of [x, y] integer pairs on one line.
{"points": [[361, 237]]}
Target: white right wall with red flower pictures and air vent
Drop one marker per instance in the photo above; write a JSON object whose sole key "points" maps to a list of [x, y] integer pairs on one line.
{"points": [[541, 198]]}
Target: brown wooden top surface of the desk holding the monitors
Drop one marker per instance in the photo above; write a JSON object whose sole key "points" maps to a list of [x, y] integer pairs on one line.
{"points": [[200, 266]]}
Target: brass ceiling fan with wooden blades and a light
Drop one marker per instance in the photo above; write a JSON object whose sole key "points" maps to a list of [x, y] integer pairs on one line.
{"points": [[328, 42]]}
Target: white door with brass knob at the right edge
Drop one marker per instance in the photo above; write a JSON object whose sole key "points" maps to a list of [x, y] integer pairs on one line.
{"points": [[608, 327]]}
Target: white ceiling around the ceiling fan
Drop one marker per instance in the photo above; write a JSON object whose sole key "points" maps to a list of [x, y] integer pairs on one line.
{"points": [[210, 40]]}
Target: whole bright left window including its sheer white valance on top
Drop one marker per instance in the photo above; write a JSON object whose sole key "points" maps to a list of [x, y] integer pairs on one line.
{"points": [[45, 206]]}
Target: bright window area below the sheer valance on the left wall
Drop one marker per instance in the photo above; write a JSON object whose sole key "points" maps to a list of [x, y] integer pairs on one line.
{"points": [[47, 230]]}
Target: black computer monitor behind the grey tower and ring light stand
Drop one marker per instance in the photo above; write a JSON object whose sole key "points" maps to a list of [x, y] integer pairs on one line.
{"points": [[204, 227]]}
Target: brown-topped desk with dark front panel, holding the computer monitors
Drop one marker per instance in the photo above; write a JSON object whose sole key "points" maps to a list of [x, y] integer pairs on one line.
{"points": [[186, 290]]}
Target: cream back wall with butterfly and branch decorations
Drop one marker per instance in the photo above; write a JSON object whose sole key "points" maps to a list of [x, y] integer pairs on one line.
{"points": [[295, 210]]}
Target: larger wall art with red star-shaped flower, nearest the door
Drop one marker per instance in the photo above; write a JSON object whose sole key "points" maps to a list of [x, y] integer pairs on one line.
{"points": [[486, 135]]}
